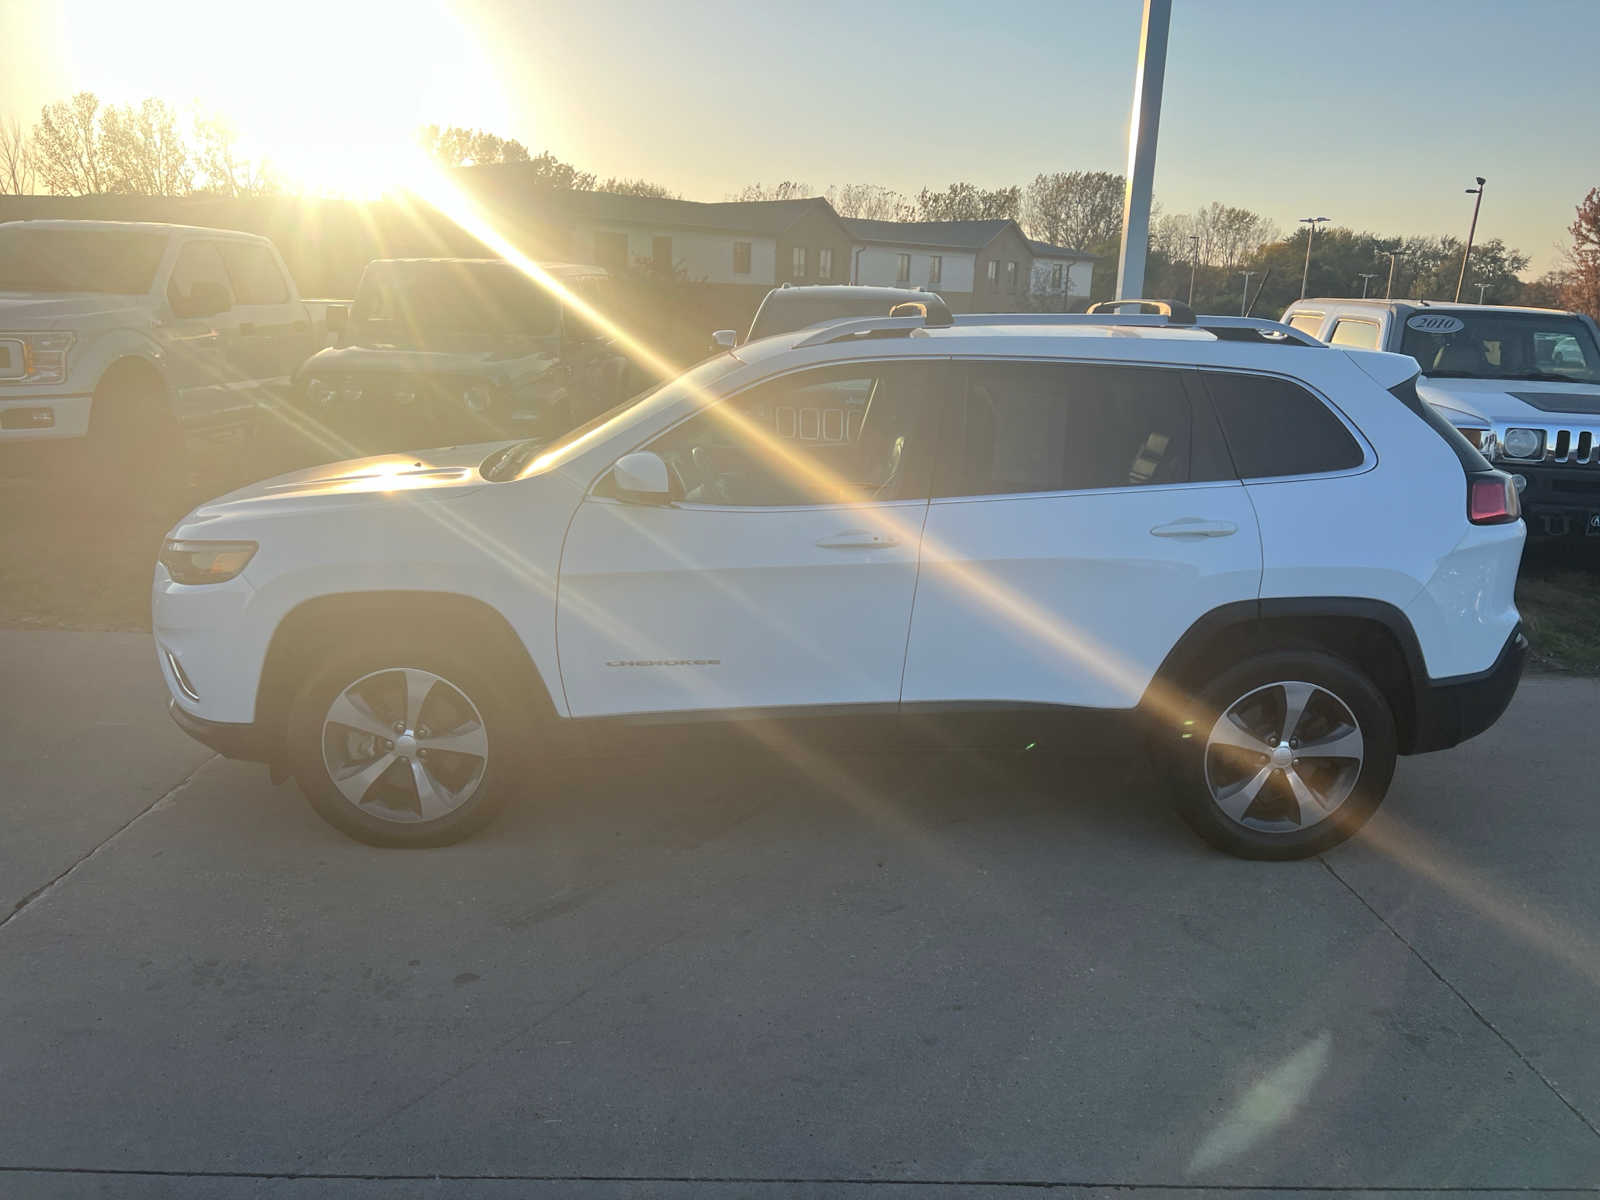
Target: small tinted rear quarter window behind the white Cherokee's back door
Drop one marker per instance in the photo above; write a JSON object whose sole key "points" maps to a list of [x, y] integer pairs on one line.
{"points": [[1278, 428]]}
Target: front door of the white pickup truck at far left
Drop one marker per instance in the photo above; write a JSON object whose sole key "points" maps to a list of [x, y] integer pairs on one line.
{"points": [[201, 348]]}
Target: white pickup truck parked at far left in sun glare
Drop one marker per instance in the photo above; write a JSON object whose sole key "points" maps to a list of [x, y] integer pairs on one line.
{"points": [[129, 338]]}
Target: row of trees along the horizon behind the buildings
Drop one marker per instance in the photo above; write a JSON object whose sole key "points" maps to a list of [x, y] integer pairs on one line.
{"points": [[1223, 257]]}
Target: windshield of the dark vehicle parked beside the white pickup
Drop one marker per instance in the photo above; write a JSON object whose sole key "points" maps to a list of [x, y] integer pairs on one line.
{"points": [[454, 298]]}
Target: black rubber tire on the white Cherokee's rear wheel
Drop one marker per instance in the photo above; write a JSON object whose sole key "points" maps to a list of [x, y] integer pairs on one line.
{"points": [[1270, 828]]}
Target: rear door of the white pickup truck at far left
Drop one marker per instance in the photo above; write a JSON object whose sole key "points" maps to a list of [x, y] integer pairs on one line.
{"points": [[274, 332]]}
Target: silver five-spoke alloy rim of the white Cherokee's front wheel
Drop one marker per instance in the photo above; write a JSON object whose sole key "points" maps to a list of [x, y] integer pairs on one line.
{"points": [[406, 745]]}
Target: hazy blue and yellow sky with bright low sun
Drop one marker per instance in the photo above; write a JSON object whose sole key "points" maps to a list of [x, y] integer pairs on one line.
{"points": [[1374, 113]]}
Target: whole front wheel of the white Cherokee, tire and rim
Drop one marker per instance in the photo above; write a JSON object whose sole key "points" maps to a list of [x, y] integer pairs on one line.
{"points": [[402, 745]]}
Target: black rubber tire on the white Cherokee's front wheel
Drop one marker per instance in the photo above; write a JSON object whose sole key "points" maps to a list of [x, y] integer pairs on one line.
{"points": [[386, 818]]}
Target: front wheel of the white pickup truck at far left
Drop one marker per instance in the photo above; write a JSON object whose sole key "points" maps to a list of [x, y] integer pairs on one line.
{"points": [[135, 450]]}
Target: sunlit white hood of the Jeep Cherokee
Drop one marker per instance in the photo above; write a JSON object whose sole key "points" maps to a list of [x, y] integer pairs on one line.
{"points": [[447, 473]]}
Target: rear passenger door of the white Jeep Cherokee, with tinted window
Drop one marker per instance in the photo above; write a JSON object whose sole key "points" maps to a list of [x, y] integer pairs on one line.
{"points": [[1082, 519]]}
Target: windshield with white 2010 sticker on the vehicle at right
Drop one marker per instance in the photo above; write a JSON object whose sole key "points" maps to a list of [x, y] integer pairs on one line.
{"points": [[1490, 345]]}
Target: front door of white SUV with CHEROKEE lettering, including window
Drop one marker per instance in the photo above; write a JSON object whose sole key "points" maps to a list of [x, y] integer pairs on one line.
{"points": [[783, 575]]}
